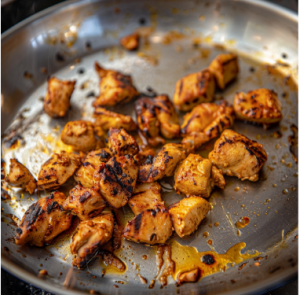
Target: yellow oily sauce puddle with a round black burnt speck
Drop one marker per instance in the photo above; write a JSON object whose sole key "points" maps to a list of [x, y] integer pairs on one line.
{"points": [[187, 260]]}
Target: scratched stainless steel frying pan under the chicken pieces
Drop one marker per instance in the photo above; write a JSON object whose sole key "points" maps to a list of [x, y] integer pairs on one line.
{"points": [[260, 32]]}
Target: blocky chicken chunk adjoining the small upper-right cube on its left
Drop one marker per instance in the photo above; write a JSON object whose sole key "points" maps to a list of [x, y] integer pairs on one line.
{"points": [[194, 89]]}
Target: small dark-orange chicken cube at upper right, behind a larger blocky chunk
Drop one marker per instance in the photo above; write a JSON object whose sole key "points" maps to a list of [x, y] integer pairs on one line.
{"points": [[225, 68]]}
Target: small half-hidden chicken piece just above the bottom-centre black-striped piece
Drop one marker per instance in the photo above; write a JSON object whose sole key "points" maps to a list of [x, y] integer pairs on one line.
{"points": [[145, 196]]}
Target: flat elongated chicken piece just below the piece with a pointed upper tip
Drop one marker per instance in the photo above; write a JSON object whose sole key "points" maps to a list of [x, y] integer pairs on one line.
{"points": [[107, 119]]}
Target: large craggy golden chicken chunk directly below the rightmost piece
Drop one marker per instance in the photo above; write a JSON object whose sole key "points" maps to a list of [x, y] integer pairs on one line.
{"points": [[237, 155]]}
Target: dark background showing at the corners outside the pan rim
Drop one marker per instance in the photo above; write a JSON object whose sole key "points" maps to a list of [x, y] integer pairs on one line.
{"points": [[14, 11]]}
